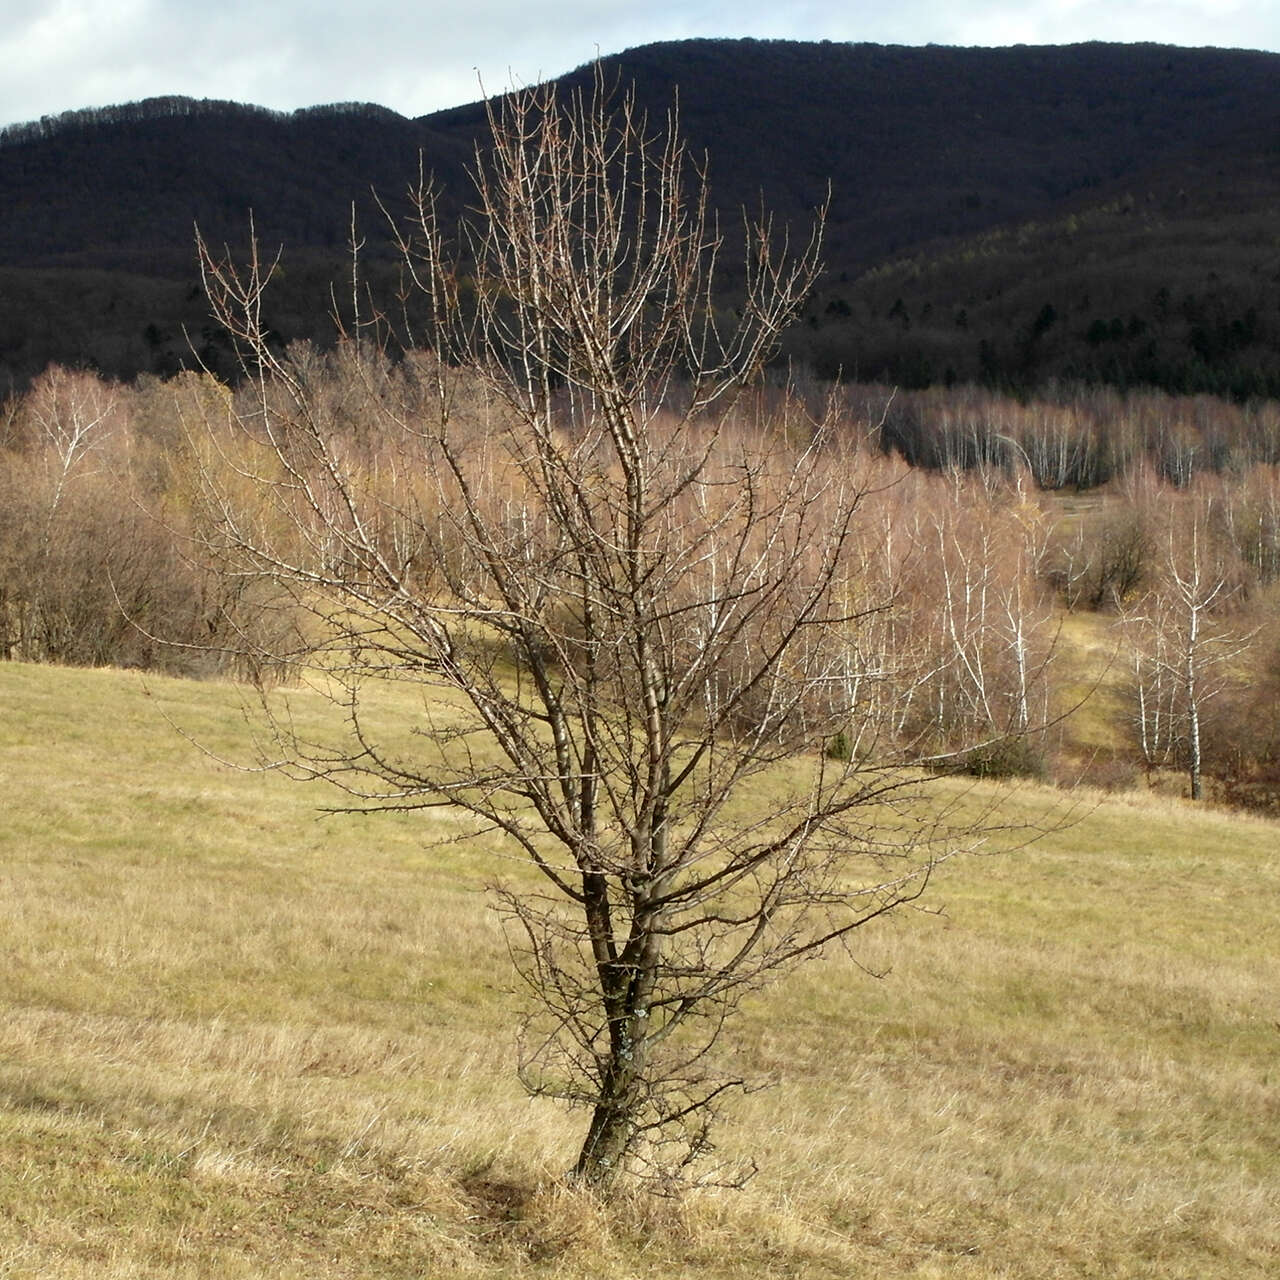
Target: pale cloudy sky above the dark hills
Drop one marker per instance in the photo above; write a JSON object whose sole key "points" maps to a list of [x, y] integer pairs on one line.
{"points": [[418, 58]]}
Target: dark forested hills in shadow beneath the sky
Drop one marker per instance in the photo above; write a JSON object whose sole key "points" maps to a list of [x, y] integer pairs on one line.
{"points": [[1013, 216]]}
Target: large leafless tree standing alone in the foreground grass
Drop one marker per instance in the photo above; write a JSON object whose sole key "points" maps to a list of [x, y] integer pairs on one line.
{"points": [[561, 516]]}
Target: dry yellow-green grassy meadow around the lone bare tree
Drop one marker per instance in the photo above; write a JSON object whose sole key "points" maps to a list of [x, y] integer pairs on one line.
{"points": [[244, 1041]]}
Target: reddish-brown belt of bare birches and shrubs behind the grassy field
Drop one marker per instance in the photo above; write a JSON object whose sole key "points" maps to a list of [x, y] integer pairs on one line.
{"points": [[972, 577]]}
